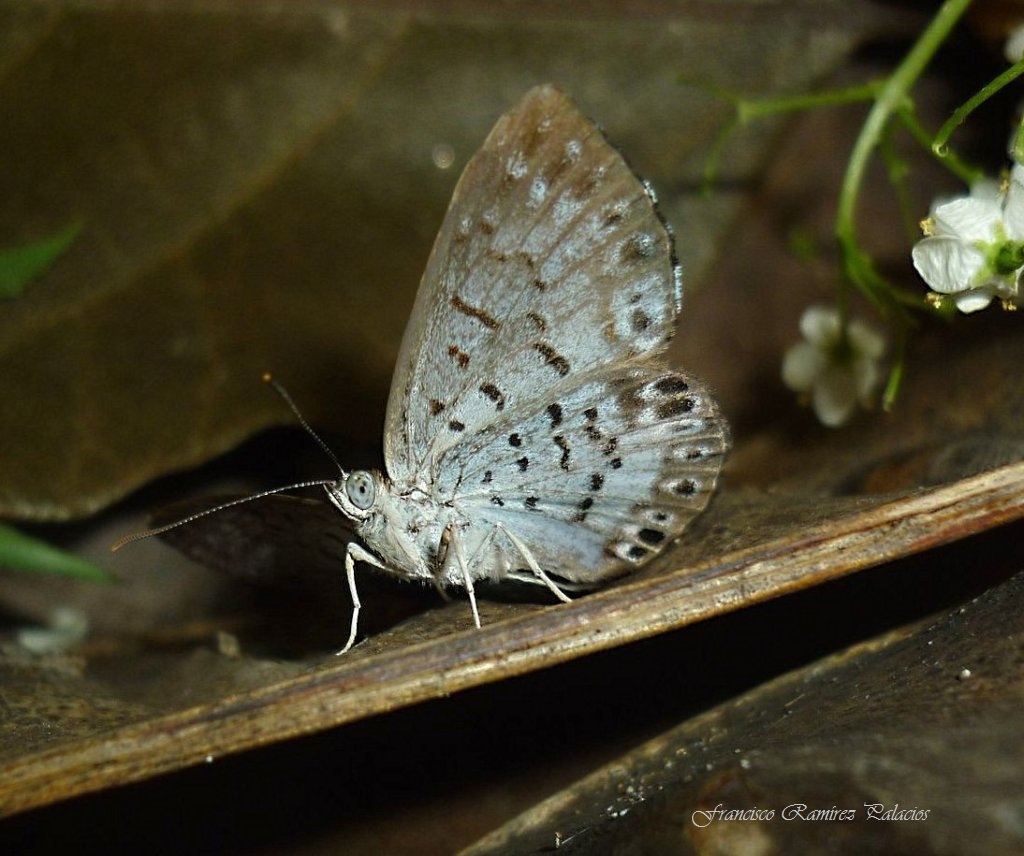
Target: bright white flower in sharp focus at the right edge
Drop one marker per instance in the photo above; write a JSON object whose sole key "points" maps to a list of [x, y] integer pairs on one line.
{"points": [[974, 248]]}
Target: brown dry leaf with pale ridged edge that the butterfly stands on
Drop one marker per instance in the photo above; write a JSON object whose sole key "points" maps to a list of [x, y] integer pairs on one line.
{"points": [[78, 724]]}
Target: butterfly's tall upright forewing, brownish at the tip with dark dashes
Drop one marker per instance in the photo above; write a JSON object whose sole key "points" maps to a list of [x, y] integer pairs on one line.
{"points": [[551, 263]]}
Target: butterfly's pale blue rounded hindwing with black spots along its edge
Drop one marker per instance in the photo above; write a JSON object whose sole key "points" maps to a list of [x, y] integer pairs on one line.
{"points": [[598, 480]]}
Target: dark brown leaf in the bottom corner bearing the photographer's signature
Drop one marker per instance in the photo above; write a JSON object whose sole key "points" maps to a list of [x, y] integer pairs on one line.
{"points": [[924, 723]]}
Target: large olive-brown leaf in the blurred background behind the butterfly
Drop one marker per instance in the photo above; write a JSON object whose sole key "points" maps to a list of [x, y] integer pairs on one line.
{"points": [[259, 192]]}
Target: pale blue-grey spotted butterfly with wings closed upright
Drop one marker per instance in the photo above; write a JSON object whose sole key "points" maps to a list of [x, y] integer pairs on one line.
{"points": [[534, 432]]}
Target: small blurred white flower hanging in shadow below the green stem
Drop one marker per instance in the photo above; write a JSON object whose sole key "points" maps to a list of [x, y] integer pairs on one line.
{"points": [[837, 370]]}
